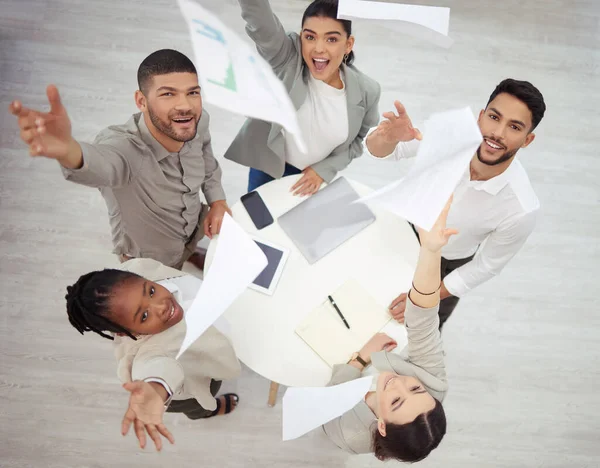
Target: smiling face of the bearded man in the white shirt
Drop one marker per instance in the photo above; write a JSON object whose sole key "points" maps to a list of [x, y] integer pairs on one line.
{"points": [[505, 125]]}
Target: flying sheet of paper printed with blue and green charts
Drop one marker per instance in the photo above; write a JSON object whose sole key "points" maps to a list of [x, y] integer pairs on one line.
{"points": [[234, 76]]}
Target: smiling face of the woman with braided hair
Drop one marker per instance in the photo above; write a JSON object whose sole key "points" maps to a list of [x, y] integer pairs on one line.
{"points": [[144, 307]]}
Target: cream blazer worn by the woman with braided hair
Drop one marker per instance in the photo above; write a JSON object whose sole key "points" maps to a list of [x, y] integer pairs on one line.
{"points": [[210, 357]]}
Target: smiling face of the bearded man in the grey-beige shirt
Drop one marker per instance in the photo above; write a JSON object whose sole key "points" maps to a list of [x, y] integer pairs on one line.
{"points": [[173, 104]]}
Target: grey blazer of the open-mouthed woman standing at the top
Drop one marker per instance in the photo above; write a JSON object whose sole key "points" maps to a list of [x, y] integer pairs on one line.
{"points": [[261, 144]]}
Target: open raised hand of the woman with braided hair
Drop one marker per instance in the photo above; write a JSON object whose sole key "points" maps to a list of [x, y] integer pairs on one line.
{"points": [[145, 411]]}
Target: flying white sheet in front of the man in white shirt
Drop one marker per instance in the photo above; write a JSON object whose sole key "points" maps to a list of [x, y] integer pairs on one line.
{"points": [[450, 140]]}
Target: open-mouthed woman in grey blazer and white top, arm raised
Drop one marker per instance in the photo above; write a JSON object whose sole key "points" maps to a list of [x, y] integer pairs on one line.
{"points": [[336, 103]]}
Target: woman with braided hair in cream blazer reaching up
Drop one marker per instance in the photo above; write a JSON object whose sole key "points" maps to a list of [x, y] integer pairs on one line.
{"points": [[140, 307]]}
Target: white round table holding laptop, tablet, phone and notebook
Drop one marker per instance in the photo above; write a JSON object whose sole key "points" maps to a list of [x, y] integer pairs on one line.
{"points": [[382, 258]]}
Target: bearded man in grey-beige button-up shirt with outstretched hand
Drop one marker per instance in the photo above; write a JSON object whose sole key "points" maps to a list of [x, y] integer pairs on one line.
{"points": [[150, 170]]}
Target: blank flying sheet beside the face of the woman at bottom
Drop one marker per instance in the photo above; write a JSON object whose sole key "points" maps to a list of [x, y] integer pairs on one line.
{"points": [[305, 409]]}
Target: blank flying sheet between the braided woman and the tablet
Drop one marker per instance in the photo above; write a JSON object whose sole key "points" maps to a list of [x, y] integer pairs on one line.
{"points": [[237, 262]]}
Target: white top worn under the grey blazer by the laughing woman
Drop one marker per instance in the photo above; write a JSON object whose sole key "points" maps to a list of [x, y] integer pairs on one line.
{"points": [[323, 120]]}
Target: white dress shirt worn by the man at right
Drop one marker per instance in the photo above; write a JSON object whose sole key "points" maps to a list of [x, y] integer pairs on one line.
{"points": [[493, 217]]}
